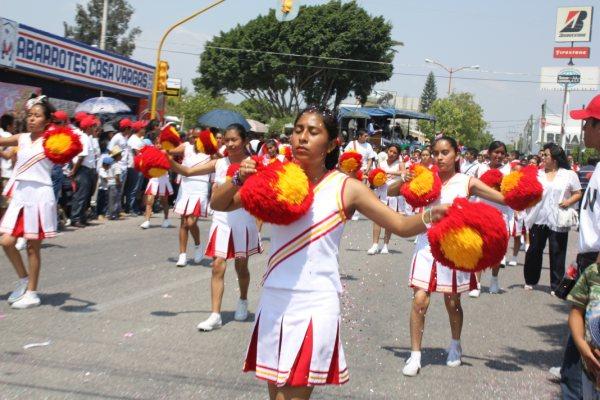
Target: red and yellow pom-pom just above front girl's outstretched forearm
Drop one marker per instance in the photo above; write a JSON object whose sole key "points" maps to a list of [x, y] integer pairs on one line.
{"points": [[423, 189]]}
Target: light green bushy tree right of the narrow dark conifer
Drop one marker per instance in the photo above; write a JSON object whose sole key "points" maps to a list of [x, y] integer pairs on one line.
{"points": [[459, 116]]}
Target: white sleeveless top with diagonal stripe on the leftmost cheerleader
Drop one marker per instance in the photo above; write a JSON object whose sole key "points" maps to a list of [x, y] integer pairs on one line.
{"points": [[32, 164]]}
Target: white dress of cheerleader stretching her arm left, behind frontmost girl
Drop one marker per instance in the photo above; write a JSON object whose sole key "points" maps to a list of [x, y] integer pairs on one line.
{"points": [[233, 234]]}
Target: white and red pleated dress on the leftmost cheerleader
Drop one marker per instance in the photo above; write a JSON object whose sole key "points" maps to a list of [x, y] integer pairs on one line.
{"points": [[32, 210]]}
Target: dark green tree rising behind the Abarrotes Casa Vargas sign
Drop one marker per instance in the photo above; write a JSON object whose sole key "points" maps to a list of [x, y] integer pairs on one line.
{"points": [[88, 22]]}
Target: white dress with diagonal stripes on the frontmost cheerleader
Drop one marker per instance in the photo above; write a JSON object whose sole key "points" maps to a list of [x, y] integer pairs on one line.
{"points": [[296, 337]]}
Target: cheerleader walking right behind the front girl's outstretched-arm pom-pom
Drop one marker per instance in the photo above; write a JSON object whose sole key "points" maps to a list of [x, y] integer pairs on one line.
{"points": [[427, 275]]}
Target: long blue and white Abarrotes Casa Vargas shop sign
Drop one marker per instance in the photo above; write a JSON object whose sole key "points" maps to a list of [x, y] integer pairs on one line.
{"points": [[41, 53]]}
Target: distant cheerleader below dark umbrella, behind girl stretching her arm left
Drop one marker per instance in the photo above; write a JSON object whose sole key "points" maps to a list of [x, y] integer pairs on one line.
{"points": [[192, 199]]}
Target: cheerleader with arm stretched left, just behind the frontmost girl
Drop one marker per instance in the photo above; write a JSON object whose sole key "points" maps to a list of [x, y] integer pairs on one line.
{"points": [[233, 235]]}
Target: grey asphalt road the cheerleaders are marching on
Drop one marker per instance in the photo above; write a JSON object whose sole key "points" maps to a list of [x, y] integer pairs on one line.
{"points": [[121, 319]]}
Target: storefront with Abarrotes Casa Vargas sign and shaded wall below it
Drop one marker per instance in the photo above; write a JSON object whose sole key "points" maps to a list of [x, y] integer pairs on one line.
{"points": [[68, 72]]}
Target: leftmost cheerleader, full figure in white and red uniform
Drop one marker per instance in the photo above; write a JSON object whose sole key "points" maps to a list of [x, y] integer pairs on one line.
{"points": [[32, 211]]}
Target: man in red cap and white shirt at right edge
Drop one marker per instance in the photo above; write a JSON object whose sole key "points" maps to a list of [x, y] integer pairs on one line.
{"points": [[589, 244]]}
